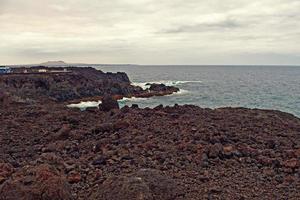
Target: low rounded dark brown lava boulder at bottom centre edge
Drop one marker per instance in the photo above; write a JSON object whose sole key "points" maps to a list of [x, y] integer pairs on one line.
{"points": [[146, 184]]}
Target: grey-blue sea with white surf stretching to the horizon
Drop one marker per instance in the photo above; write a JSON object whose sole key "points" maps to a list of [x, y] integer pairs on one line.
{"points": [[266, 87]]}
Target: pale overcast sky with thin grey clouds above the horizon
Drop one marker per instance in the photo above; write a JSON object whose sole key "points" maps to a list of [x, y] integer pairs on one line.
{"points": [[169, 32]]}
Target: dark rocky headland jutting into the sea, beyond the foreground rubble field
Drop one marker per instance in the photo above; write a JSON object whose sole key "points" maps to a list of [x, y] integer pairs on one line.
{"points": [[72, 84]]}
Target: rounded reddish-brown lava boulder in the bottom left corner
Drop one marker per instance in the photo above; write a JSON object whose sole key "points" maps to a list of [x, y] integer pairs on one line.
{"points": [[41, 182]]}
